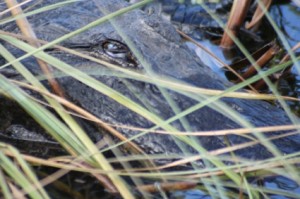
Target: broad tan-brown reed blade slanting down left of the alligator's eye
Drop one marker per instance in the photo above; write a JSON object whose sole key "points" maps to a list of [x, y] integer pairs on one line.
{"points": [[26, 30]]}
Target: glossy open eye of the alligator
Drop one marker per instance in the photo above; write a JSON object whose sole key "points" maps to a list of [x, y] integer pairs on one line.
{"points": [[115, 49]]}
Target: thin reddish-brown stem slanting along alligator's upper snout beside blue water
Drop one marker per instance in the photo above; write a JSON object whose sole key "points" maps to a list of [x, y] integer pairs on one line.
{"points": [[215, 57]]}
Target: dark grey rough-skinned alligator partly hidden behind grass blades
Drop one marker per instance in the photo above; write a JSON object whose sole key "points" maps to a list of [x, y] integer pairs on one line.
{"points": [[147, 44]]}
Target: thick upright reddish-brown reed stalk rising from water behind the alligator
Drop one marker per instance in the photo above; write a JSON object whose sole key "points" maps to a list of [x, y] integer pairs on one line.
{"points": [[236, 19]]}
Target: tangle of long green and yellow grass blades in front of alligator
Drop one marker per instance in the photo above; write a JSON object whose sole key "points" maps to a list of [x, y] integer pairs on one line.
{"points": [[217, 179]]}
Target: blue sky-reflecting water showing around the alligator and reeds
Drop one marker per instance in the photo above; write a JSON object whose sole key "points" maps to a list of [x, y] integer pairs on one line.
{"points": [[286, 16]]}
